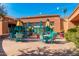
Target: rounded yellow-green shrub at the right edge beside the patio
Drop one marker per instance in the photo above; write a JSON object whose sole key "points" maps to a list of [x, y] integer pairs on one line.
{"points": [[72, 35]]}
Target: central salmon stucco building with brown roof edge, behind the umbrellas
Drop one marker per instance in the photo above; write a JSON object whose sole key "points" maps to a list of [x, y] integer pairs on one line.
{"points": [[54, 19]]}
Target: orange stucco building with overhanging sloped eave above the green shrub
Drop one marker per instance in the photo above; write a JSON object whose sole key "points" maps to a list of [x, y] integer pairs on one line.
{"points": [[72, 20]]}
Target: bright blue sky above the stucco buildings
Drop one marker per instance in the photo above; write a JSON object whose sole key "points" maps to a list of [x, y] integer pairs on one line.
{"points": [[18, 10]]}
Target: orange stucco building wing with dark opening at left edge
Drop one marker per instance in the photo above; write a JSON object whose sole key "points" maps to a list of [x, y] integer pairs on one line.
{"points": [[5, 23]]}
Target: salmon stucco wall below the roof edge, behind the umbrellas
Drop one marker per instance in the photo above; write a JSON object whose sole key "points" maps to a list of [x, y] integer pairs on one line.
{"points": [[58, 26]]}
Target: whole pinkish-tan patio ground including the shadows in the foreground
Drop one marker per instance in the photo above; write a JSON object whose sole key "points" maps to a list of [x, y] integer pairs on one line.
{"points": [[59, 48]]}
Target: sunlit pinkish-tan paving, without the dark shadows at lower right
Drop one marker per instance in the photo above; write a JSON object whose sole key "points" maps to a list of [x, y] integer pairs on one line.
{"points": [[31, 48]]}
